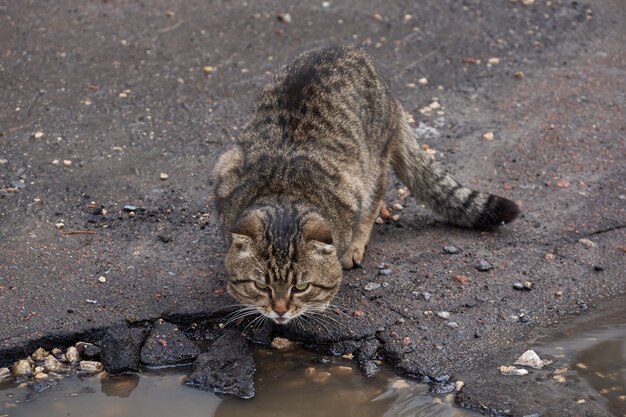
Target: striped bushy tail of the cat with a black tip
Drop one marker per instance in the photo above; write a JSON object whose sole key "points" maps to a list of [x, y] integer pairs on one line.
{"points": [[431, 184]]}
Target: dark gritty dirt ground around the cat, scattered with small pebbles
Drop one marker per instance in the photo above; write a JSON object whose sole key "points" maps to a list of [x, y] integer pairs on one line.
{"points": [[114, 112]]}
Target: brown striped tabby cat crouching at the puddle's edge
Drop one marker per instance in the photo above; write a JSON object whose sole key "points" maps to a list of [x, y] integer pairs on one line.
{"points": [[299, 193]]}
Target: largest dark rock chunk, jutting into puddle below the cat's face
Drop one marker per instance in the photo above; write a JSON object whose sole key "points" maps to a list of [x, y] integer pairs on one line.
{"points": [[226, 368]]}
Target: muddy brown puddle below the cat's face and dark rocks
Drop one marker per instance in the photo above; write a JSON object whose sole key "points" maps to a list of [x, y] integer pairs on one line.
{"points": [[282, 389]]}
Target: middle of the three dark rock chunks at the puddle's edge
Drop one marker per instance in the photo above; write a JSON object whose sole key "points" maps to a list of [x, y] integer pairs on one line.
{"points": [[166, 345]]}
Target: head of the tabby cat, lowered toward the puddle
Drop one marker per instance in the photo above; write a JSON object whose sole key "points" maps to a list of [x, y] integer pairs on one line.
{"points": [[282, 264]]}
